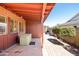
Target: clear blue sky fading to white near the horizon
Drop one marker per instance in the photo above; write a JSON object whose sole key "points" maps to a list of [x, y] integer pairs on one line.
{"points": [[61, 13]]}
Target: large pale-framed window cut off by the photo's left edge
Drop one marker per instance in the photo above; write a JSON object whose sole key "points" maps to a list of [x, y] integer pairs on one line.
{"points": [[3, 25]]}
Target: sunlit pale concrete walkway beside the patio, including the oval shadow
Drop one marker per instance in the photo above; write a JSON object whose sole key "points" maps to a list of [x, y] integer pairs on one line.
{"points": [[54, 48]]}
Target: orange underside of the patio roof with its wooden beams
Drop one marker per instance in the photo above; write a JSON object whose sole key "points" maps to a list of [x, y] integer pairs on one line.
{"points": [[30, 11]]}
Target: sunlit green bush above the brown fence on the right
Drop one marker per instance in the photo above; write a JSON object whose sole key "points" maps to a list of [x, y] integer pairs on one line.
{"points": [[64, 31]]}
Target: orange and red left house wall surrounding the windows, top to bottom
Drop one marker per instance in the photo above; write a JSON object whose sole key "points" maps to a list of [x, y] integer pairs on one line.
{"points": [[8, 39]]}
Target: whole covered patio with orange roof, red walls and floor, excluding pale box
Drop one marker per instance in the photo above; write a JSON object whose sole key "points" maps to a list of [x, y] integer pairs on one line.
{"points": [[23, 18]]}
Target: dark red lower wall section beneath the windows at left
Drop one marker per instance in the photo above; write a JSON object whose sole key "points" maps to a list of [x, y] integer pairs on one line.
{"points": [[7, 40]]}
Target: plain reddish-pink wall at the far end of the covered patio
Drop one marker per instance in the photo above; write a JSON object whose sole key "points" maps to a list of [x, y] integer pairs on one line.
{"points": [[35, 28]]}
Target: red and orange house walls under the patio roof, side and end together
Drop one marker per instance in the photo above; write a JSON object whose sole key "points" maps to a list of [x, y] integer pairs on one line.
{"points": [[33, 27]]}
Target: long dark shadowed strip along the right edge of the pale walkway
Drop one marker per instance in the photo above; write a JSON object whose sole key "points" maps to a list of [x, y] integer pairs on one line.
{"points": [[73, 50]]}
